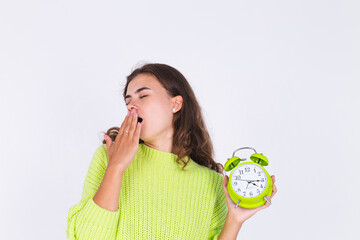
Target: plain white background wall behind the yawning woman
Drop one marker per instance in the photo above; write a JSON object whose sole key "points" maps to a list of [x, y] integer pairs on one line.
{"points": [[279, 76]]}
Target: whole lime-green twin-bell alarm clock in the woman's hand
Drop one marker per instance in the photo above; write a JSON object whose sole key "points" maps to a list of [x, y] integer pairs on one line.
{"points": [[249, 182]]}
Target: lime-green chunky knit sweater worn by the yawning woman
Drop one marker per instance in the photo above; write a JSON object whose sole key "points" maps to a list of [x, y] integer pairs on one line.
{"points": [[157, 200]]}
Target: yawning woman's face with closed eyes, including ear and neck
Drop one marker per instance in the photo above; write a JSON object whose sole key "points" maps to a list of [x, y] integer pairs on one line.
{"points": [[151, 102]]}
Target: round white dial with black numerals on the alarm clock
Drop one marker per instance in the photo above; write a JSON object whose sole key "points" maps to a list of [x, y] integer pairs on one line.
{"points": [[248, 180]]}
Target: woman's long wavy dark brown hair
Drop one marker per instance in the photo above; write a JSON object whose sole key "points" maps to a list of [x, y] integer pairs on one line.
{"points": [[191, 137]]}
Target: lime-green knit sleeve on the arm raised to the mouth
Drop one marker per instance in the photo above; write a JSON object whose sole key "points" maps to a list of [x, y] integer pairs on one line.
{"points": [[86, 219]]}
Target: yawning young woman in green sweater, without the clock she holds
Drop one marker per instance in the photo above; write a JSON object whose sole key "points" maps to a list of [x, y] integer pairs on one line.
{"points": [[155, 176]]}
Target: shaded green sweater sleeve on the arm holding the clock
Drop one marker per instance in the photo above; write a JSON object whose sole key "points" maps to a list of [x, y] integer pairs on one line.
{"points": [[219, 212]]}
